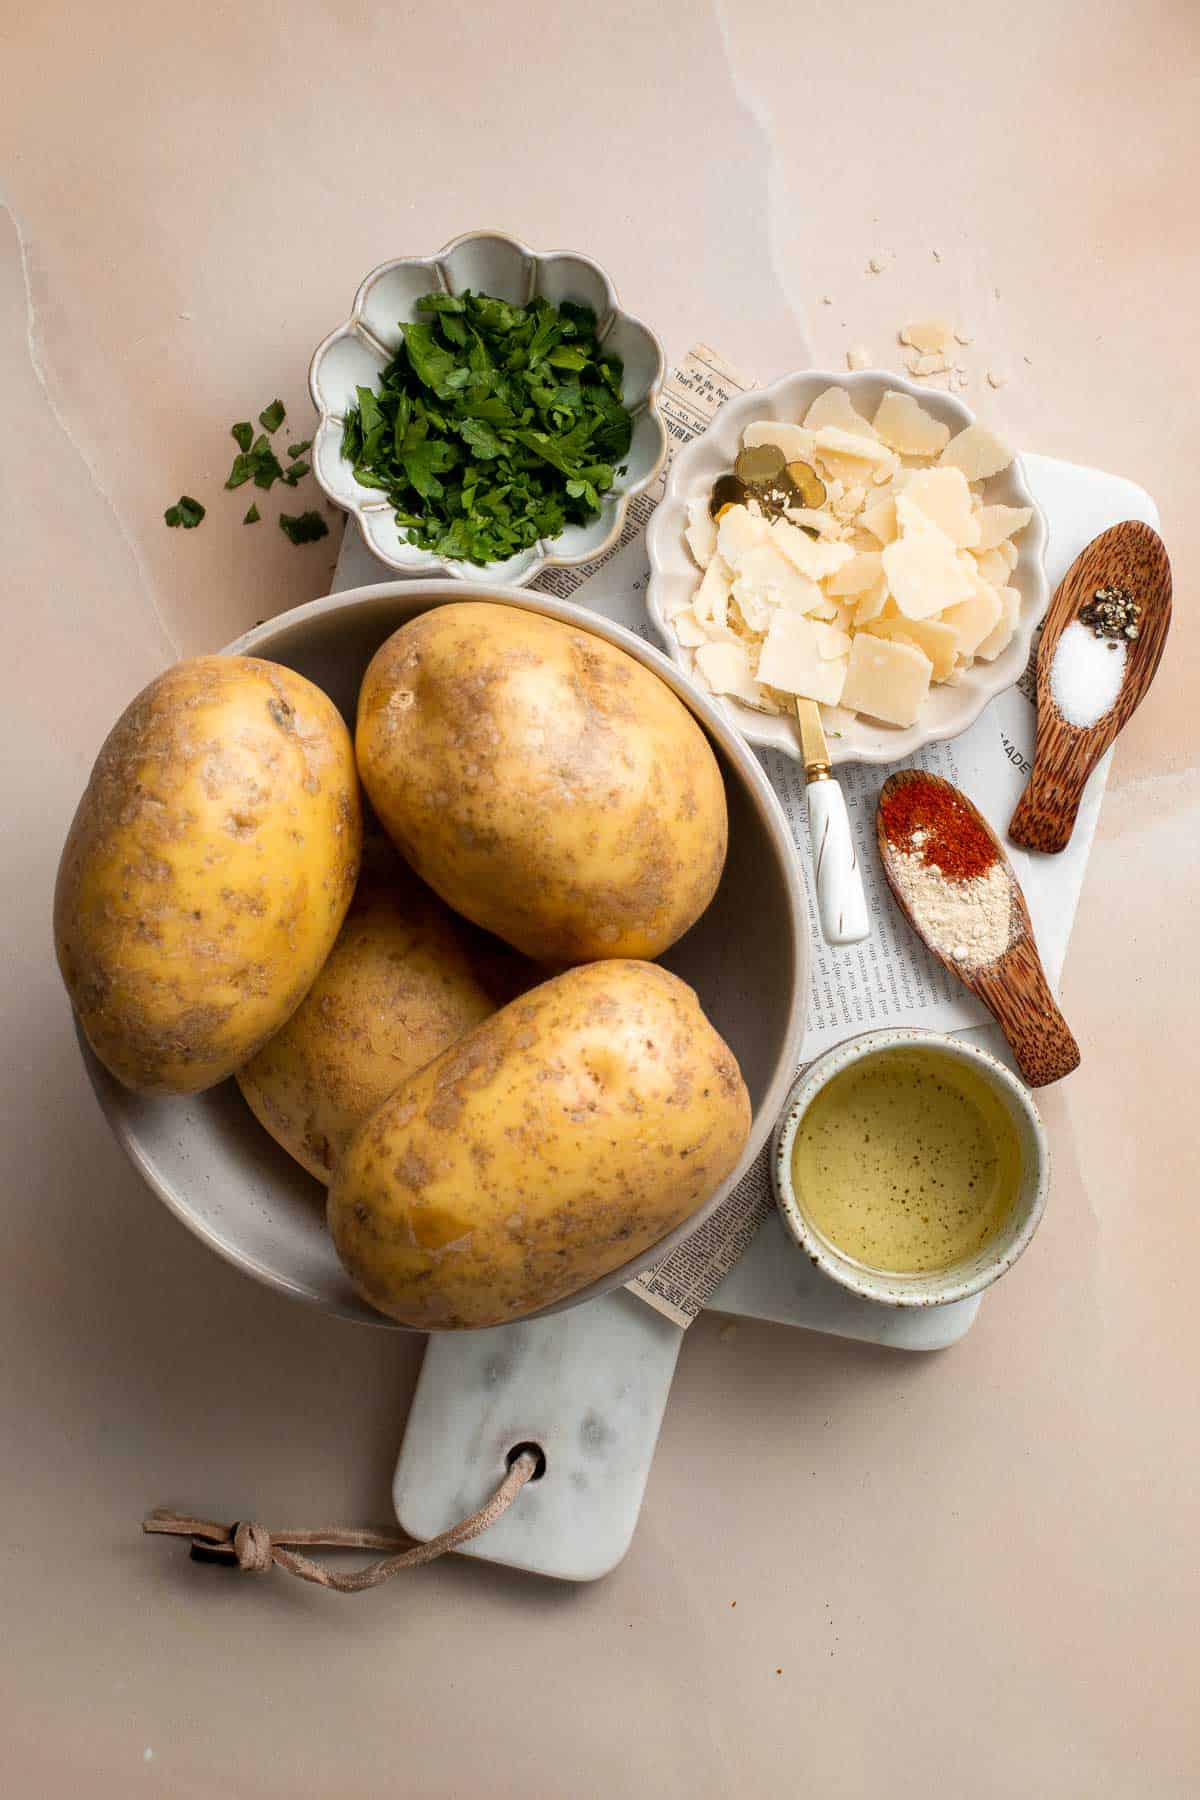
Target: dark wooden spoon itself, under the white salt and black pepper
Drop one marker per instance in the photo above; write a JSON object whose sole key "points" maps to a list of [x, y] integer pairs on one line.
{"points": [[1134, 557]]}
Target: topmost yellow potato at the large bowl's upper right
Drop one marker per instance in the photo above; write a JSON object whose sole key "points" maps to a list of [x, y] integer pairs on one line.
{"points": [[542, 782]]}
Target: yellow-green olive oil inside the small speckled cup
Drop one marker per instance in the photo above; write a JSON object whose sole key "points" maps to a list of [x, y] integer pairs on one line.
{"points": [[908, 1162]]}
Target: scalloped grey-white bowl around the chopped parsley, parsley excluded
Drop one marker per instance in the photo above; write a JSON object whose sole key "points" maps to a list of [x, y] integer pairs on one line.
{"points": [[490, 264]]}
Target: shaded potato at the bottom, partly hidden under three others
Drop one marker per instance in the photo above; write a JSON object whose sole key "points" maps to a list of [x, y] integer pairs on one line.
{"points": [[404, 982]]}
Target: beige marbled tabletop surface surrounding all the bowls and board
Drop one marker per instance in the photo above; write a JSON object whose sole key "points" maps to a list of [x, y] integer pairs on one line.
{"points": [[972, 1574]]}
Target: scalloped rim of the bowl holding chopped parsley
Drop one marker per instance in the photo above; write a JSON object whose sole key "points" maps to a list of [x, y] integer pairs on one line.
{"points": [[546, 557]]}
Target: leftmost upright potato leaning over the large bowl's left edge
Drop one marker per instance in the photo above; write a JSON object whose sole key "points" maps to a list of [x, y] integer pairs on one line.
{"points": [[208, 870]]}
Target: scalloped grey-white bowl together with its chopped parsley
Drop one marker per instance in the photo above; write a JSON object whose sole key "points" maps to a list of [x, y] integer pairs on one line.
{"points": [[501, 418]]}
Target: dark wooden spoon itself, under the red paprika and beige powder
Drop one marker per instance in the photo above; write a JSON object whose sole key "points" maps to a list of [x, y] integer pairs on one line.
{"points": [[1014, 987]]}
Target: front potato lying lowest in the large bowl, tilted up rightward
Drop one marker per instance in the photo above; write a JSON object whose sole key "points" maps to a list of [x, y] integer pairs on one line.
{"points": [[559, 1140]]}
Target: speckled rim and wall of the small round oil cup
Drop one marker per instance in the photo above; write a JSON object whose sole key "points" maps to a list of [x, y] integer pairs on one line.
{"points": [[962, 1281]]}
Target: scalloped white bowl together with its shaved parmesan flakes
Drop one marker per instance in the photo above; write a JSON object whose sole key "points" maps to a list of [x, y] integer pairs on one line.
{"points": [[908, 584]]}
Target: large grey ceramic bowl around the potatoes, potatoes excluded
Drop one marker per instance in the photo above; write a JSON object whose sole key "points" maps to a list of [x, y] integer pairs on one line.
{"points": [[210, 1160]]}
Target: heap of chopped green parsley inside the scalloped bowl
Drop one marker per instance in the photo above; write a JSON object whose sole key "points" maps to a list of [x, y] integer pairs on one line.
{"points": [[494, 426]]}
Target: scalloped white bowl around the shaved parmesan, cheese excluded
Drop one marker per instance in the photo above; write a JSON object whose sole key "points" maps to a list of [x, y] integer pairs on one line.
{"points": [[674, 575]]}
